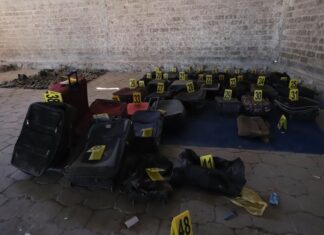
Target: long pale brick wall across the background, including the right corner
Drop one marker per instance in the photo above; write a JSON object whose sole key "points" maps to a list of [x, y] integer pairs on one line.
{"points": [[136, 34]]}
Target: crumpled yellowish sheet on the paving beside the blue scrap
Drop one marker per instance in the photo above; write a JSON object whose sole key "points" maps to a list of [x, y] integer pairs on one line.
{"points": [[251, 202]]}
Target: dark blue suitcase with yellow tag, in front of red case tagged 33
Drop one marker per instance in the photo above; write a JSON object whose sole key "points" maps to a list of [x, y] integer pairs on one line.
{"points": [[147, 130]]}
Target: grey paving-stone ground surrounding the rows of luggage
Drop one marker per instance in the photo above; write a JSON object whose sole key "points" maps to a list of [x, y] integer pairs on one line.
{"points": [[48, 205]]}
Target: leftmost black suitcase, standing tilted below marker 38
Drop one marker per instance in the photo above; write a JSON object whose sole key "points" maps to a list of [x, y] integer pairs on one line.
{"points": [[45, 139]]}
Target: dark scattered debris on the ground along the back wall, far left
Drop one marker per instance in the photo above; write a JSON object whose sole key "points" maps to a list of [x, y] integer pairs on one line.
{"points": [[47, 76]]}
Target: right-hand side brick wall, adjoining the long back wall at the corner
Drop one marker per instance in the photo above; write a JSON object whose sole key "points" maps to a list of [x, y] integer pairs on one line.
{"points": [[302, 40]]}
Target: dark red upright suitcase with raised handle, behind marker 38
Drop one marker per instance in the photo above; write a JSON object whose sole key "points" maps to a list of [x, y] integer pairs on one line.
{"points": [[74, 93]]}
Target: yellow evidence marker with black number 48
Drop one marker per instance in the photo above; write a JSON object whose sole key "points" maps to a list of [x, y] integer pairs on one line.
{"points": [[181, 224]]}
